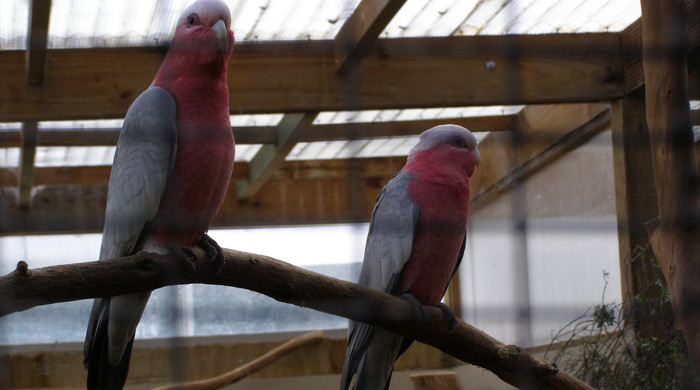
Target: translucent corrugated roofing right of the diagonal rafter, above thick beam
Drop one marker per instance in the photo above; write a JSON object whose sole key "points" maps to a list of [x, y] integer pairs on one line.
{"points": [[480, 17]]}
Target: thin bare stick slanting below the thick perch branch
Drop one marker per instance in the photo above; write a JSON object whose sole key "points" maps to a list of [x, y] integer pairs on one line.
{"points": [[251, 367]]}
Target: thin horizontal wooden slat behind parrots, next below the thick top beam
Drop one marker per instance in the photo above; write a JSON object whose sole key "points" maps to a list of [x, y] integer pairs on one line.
{"points": [[246, 135]]}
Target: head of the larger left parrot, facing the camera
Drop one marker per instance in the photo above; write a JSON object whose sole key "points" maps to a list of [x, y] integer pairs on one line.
{"points": [[204, 32]]}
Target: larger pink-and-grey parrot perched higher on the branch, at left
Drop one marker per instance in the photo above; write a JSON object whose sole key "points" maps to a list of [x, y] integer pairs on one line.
{"points": [[170, 174]]}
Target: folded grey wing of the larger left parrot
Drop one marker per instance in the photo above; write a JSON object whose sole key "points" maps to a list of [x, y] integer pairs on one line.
{"points": [[145, 155]]}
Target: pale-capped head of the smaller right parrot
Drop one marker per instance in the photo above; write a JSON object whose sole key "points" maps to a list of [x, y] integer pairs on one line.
{"points": [[458, 143]]}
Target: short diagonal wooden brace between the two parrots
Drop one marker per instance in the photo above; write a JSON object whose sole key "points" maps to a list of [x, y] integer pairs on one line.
{"points": [[270, 157]]}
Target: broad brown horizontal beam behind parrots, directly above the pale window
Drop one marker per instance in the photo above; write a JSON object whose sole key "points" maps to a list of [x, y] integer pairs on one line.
{"points": [[300, 192]]}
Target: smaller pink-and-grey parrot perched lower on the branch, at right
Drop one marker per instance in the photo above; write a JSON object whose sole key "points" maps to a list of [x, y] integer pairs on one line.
{"points": [[415, 243]]}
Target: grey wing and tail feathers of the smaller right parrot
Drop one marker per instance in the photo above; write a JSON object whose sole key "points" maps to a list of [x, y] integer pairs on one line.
{"points": [[388, 248]]}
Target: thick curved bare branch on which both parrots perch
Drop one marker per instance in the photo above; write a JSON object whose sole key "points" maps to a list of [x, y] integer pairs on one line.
{"points": [[26, 288]]}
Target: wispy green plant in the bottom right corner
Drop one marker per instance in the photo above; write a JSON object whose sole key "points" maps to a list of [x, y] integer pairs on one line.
{"points": [[635, 346]]}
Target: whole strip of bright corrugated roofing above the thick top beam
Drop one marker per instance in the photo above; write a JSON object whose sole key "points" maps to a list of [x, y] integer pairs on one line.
{"points": [[90, 23]]}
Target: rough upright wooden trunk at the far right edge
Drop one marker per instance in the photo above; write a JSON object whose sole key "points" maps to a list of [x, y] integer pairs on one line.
{"points": [[675, 236]]}
